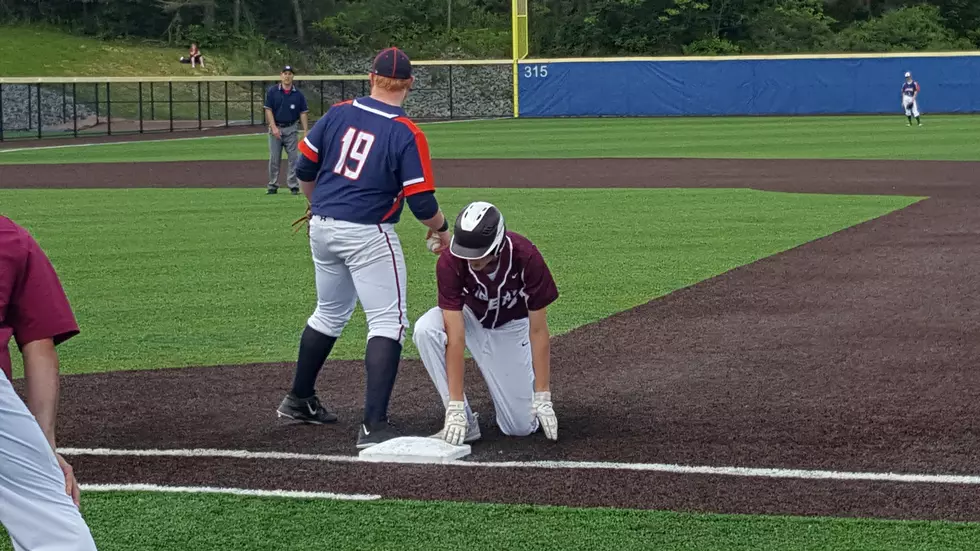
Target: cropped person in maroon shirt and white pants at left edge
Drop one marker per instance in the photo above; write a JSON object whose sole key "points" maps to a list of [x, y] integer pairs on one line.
{"points": [[39, 495]]}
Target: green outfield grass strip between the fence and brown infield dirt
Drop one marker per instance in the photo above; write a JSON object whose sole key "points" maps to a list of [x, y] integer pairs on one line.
{"points": [[942, 138]]}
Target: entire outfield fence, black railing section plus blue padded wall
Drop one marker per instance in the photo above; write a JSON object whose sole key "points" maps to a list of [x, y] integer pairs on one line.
{"points": [[471, 89]]}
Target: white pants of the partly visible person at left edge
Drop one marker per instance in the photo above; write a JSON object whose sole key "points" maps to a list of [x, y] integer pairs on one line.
{"points": [[34, 508]]}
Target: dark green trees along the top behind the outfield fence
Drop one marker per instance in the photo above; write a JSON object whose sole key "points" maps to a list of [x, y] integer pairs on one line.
{"points": [[481, 28]]}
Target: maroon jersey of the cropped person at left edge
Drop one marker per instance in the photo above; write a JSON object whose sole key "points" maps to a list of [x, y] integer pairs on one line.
{"points": [[33, 305]]}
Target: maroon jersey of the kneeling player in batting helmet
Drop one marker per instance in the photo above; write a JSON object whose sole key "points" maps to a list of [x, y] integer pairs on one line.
{"points": [[520, 281]]}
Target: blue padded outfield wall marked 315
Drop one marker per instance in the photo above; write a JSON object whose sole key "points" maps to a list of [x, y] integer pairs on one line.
{"points": [[746, 87]]}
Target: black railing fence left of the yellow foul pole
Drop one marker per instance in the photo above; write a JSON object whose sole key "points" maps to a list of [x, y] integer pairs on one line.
{"points": [[53, 108]]}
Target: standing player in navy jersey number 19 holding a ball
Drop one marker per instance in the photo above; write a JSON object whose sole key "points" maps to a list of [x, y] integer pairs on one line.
{"points": [[360, 163]]}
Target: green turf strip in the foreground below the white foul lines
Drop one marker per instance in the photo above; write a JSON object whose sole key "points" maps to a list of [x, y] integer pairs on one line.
{"points": [[145, 521]]}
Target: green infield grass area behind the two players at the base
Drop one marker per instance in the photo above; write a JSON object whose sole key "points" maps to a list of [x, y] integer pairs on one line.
{"points": [[168, 277]]}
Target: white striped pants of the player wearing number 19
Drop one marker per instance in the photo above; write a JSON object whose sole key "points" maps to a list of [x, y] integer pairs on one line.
{"points": [[358, 262]]}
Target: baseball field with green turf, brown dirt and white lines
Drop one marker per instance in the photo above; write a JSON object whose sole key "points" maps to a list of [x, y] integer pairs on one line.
{"points": [[766, 339]]}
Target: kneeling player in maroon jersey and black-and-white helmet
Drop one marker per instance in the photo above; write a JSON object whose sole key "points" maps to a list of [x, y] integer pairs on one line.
{"points": [[494, 287]]}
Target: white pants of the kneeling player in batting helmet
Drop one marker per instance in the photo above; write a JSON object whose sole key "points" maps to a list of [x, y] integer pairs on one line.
{"points": [[503, 356]]}
